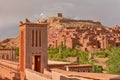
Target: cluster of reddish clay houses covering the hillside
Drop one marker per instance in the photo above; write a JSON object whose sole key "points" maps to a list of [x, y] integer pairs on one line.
{"points": [[88, 38]]}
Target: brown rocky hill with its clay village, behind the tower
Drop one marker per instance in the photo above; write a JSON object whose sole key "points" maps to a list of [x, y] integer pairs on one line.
{"points": [[87, 34]]}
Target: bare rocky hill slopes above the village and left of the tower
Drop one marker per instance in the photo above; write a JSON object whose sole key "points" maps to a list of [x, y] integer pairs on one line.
{"points": [[54, 23]]}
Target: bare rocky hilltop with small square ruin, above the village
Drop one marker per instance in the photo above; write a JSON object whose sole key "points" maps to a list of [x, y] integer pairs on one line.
{"points": [[59, 22]]}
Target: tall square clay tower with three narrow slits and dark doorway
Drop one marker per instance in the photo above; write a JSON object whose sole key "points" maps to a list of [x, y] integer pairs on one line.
{"points": [[33, 46]]}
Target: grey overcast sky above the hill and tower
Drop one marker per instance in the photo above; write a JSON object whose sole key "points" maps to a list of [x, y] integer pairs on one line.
{"points": [[12, 11]]}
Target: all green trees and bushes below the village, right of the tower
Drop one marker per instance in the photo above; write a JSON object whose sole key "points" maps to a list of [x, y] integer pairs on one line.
{"points": [[112, 53]]}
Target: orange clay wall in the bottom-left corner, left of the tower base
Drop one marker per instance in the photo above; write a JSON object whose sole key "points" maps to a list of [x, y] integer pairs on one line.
{"points": [[9, 70]]}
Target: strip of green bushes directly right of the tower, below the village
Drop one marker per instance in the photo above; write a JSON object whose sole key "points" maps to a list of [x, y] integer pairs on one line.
{"points": [[62, 52]]}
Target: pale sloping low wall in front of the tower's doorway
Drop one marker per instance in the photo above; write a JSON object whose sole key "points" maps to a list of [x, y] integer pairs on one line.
{"points": [[33, 75]]}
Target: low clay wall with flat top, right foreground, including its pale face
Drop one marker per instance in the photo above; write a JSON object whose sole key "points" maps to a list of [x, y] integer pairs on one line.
{"points": [[58, 74]]}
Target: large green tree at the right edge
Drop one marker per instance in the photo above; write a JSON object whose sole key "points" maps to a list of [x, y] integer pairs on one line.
{"points": [[113, 62]]}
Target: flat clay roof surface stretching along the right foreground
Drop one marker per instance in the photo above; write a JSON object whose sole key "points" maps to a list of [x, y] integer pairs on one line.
{"points": [[94, 76]]}
